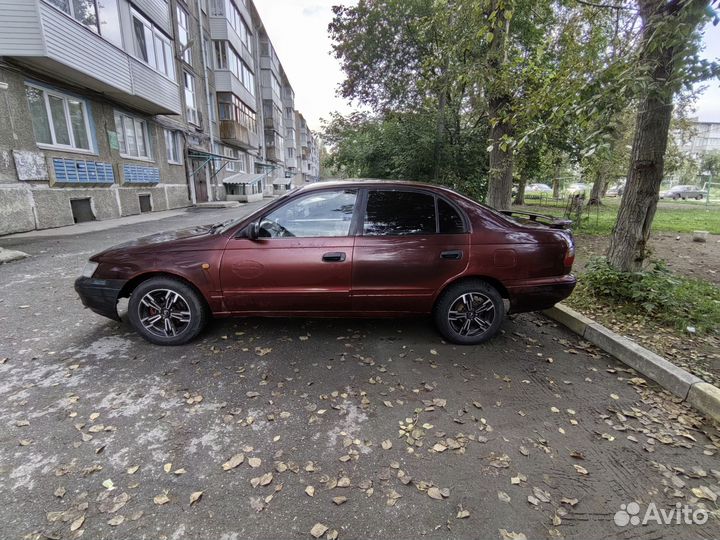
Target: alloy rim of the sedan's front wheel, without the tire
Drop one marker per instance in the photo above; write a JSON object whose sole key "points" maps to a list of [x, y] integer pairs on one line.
{"points": [[164, 313]]}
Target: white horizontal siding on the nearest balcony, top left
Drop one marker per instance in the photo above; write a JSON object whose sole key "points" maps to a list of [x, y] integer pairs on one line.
{"points": [[47, 40]]}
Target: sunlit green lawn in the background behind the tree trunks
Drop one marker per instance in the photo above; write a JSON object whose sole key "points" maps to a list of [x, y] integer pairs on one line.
{"points": [[671, 216]]}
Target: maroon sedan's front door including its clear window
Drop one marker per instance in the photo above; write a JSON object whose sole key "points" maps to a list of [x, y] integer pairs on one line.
{"points": [[301, 261]]}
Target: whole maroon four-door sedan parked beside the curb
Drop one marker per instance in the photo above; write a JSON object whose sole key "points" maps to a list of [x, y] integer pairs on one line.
{"points": [[340, 249]]}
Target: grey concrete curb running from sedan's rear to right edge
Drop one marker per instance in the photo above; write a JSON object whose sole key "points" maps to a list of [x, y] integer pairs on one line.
{"points": [[701, 395]]}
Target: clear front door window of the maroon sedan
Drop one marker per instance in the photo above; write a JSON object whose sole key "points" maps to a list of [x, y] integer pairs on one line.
{"points": [[321, 214]]}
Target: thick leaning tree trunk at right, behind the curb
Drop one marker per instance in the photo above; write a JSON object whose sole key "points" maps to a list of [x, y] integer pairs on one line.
{"points": [[647, 161]]}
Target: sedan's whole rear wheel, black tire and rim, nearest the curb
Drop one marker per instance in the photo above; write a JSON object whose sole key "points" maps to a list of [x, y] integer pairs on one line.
{"points": [[451, 306]]}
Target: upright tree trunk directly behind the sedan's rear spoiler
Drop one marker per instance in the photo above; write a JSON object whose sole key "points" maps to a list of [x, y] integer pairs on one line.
{"points": [[499, 194]]}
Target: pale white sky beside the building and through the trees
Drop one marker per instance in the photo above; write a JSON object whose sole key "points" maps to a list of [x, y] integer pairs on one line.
{"points": [[298, 29]]}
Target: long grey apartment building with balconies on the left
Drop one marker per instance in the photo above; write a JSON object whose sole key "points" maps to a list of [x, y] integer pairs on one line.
{"points": [[116, 107]]}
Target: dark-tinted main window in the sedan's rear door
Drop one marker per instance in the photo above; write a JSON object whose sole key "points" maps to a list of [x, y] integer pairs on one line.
{"points": [[399, 213]]}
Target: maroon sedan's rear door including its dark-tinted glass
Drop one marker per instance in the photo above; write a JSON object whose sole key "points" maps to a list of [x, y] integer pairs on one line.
{"points": [[410, 242]]}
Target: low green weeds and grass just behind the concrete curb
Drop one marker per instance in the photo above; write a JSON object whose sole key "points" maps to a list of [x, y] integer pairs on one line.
{"points": [[674, 300]]}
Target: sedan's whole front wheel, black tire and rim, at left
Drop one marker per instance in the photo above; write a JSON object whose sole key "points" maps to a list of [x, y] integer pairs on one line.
{"points": [[167, 311]]}
